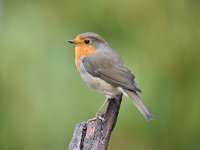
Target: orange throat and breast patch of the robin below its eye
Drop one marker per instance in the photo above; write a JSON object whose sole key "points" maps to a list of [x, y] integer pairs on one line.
{"points": [[81, 51]]}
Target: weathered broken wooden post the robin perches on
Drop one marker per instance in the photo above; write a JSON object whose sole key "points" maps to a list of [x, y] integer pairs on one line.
{"points": [[95, 135]]}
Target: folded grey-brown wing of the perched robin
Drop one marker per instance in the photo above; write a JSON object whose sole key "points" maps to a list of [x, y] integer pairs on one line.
{"points": [[110, 68]]}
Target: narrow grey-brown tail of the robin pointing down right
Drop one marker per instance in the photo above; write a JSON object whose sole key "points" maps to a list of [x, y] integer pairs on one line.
{"points": [[139, 104]]}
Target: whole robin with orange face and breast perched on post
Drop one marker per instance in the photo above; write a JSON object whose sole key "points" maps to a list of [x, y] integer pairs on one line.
{"points": [[104, 71]]}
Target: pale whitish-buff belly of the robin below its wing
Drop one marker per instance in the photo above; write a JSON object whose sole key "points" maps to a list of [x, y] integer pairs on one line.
{"points": [[98, 84]]}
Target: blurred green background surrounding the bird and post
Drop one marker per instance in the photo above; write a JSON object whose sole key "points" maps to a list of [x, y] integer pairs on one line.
{"points": [[42, 95]]}
